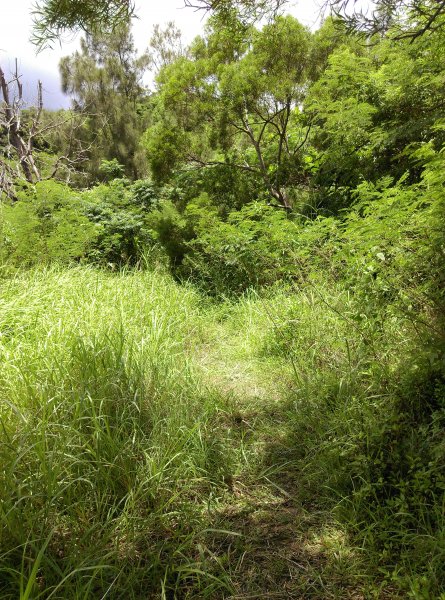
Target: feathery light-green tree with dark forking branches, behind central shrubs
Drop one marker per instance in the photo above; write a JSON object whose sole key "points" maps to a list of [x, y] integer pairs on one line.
{"points": [[236, 104]]}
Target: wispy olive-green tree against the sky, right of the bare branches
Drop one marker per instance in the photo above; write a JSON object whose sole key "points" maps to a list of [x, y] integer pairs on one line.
{"points": [[105, 82]]}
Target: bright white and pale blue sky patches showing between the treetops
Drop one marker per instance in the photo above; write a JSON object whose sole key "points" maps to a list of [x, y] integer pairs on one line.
{"points": [[16, 27]]}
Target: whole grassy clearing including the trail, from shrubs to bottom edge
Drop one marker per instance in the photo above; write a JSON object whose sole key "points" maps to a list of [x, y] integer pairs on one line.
{"points": [[156, 445]]}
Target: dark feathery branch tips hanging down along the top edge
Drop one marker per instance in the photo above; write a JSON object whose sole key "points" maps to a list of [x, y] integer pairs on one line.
{"points": [[413, 18]]}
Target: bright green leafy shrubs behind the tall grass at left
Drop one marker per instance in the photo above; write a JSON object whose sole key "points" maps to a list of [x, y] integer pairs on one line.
{"points": [[107, 224]]}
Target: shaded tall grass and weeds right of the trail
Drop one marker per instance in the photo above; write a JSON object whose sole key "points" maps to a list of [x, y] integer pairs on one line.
{"points": [[363, 435]]}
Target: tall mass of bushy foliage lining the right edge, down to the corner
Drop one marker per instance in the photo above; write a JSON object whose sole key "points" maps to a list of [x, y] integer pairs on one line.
{"points": [[369, 404]]}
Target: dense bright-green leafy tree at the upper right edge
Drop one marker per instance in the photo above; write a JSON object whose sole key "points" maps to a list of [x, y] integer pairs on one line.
{"points": [[370, 108]]}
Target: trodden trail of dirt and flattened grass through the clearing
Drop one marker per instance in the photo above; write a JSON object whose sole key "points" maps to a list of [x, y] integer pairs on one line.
{"points": [[286, 549]]}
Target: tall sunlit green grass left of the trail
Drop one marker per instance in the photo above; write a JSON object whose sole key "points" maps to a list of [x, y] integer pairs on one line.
{"points": [[109, 453]]}
